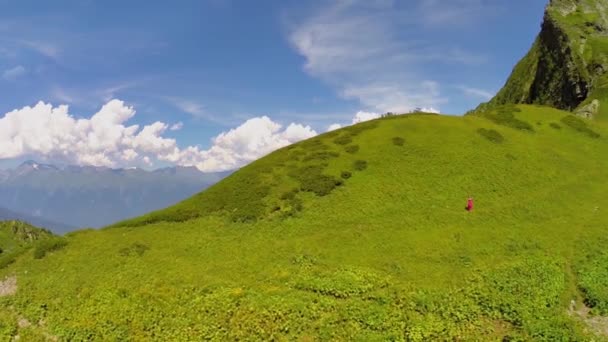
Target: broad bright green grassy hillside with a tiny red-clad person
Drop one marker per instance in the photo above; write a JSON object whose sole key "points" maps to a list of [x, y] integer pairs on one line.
{"points": [[389, 254]]}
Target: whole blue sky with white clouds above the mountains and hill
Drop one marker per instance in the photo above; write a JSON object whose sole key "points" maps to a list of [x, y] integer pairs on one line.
{"points": [[207, 67]]}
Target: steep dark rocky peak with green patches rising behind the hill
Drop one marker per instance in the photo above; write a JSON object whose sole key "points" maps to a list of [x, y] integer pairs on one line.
{"points": [[567, 66]]}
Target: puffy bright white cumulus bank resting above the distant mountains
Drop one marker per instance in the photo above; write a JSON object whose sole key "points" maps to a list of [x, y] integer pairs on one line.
{"points": [[106, 139]]}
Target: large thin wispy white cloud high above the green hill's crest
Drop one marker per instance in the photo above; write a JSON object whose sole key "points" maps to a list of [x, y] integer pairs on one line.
{"points": [[371, 50]]}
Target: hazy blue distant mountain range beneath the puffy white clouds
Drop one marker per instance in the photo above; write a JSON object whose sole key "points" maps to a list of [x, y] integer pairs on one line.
{"points": [[62, 197]]}
